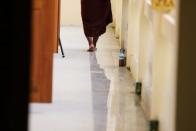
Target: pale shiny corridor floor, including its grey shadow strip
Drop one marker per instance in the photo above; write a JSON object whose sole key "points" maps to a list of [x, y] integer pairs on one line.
{"points": [[90, 91]]}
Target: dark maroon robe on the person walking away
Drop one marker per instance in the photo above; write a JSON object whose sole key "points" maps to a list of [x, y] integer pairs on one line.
{"points": [[96, 15]]}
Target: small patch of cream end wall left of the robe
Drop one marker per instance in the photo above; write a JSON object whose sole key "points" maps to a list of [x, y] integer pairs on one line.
{"points": [[70, 12]]}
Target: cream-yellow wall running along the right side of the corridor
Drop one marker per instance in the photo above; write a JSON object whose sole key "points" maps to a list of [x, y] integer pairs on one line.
{"points": [[152, 55]]}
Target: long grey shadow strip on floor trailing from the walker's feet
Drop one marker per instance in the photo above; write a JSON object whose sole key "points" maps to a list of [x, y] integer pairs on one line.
{"points": [[100, 89]]}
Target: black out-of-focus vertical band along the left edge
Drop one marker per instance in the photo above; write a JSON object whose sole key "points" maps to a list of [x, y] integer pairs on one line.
{"points": [[15, 62]]}
